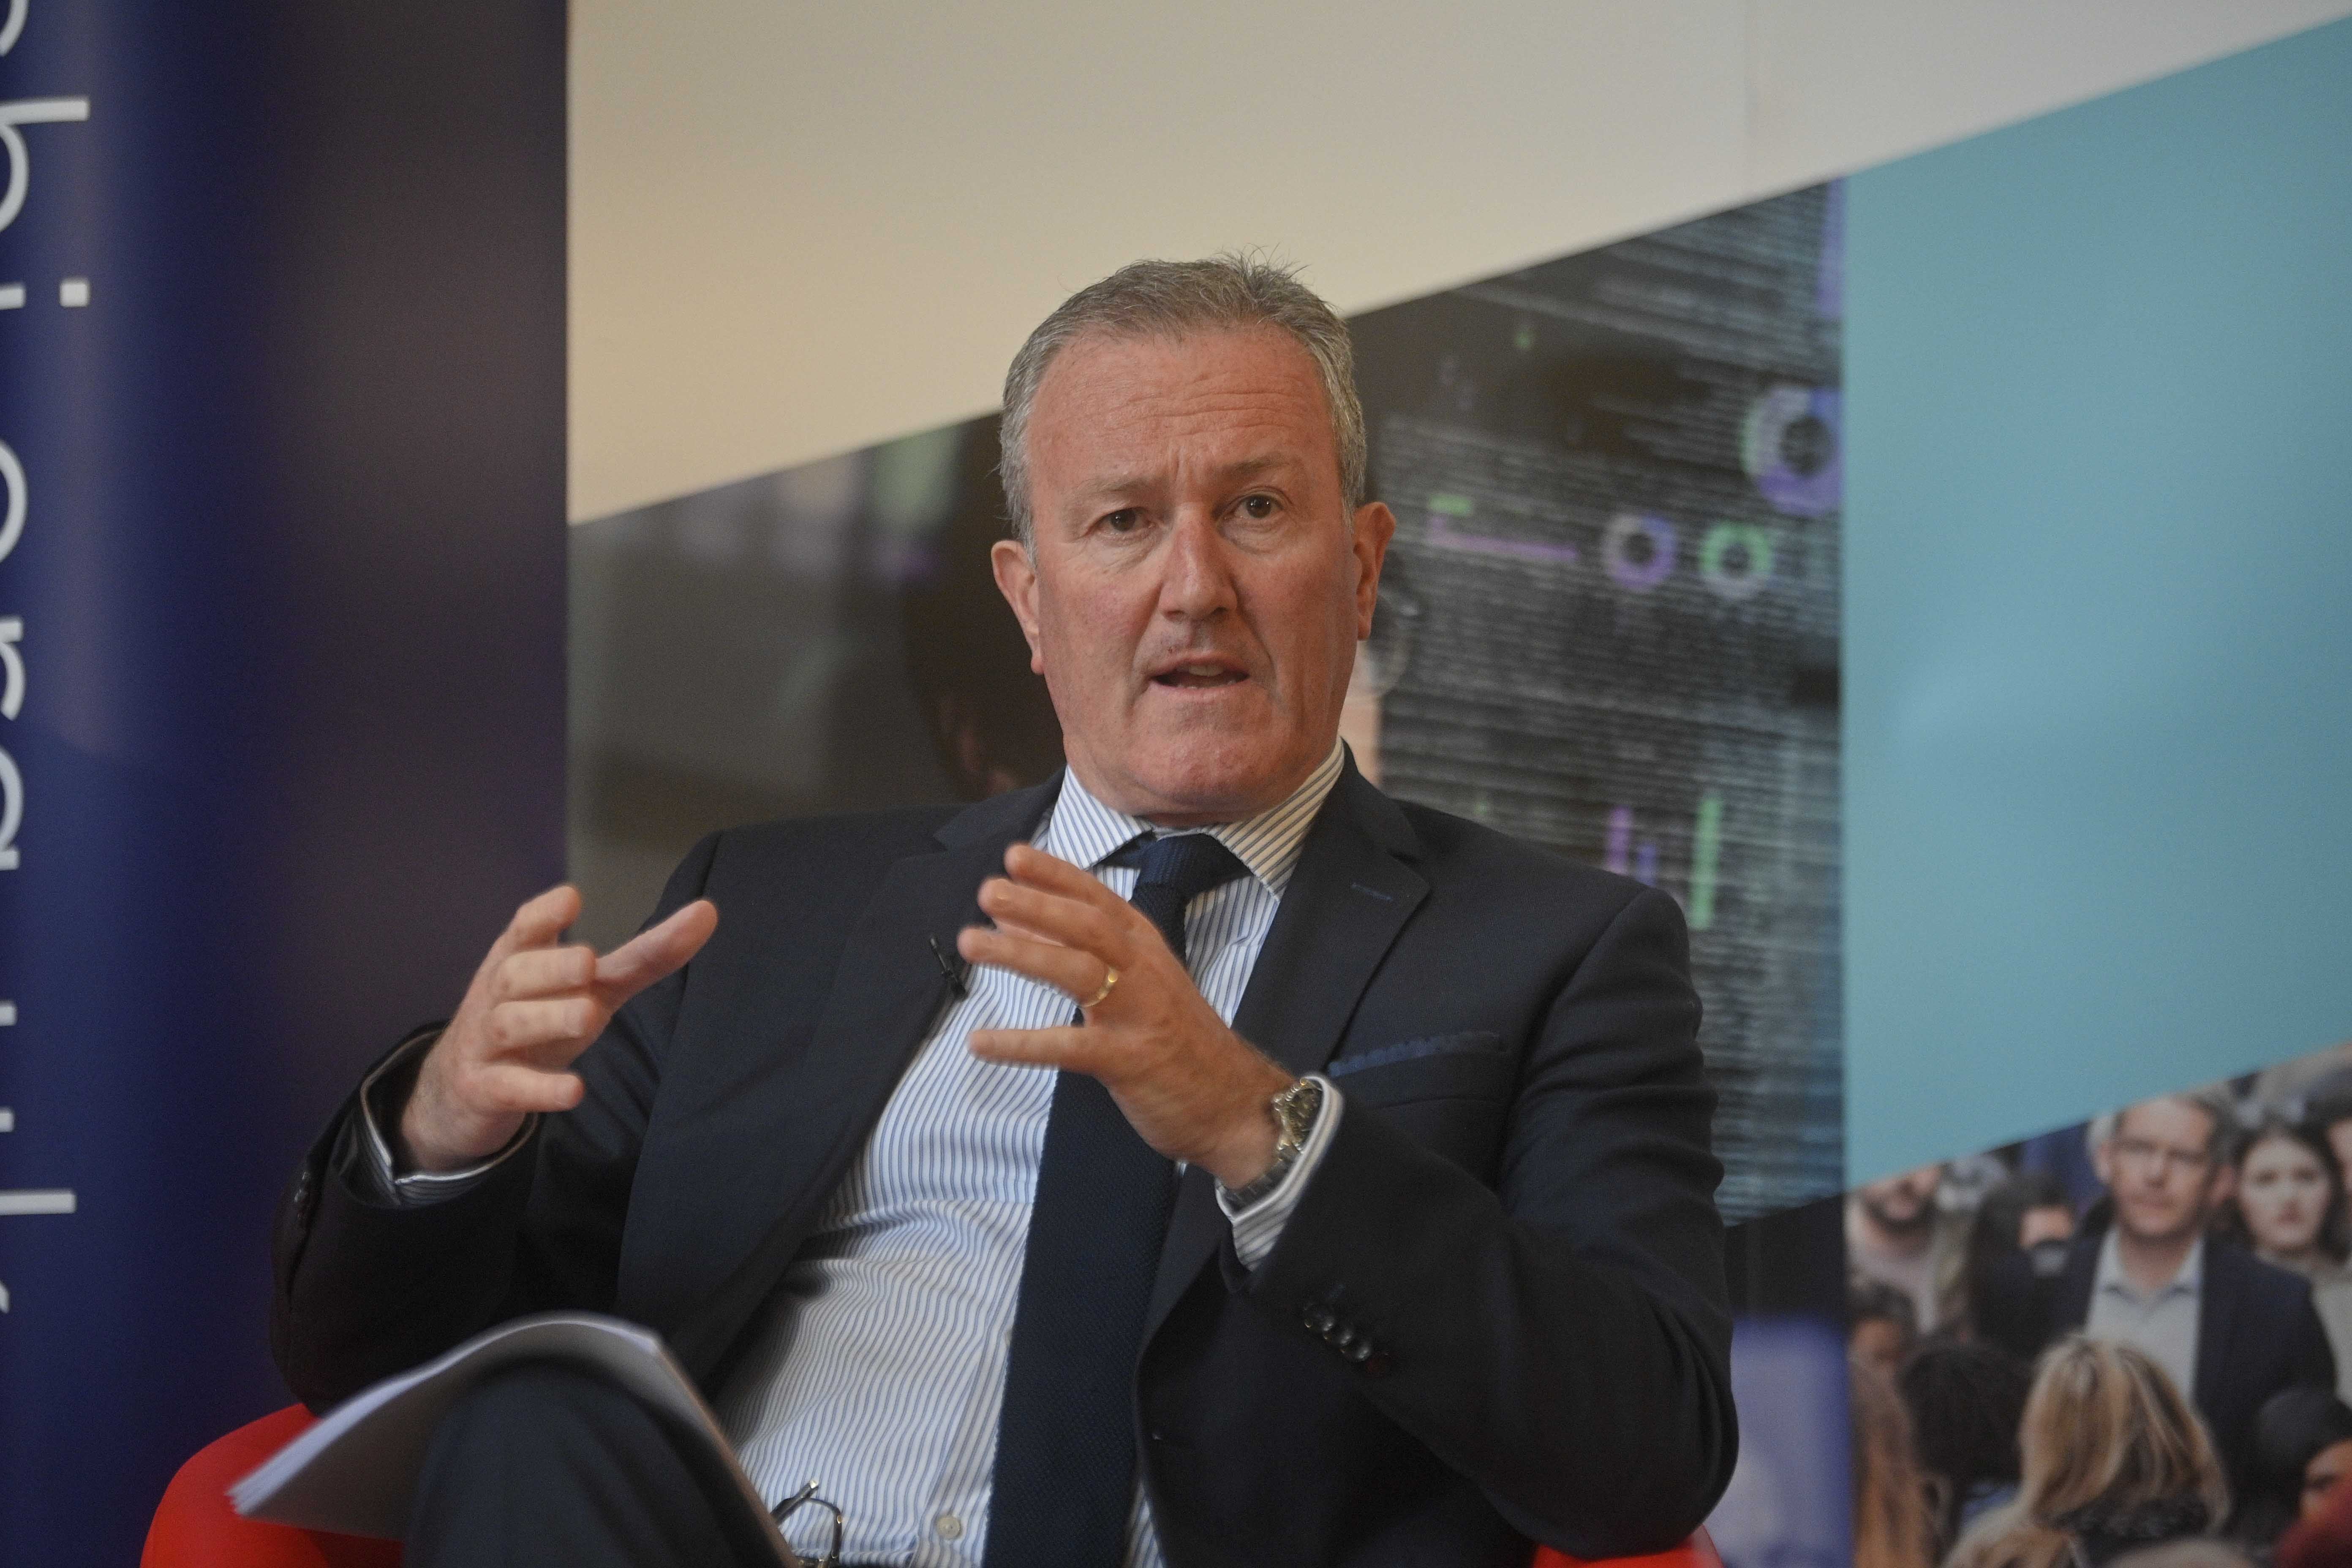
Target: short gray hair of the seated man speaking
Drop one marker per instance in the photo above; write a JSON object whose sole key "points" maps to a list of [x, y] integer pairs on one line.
{"points": [[1170, 300]]}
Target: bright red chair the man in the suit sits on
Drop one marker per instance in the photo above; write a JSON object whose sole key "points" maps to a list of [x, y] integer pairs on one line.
{"points": [[196, 1527]]}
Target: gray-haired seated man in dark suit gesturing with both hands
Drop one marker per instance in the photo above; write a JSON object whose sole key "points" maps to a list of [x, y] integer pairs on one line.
{"points": [[1276, 1174]]}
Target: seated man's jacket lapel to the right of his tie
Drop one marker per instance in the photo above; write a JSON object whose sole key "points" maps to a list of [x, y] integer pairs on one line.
{"points": [[1339, 916]]}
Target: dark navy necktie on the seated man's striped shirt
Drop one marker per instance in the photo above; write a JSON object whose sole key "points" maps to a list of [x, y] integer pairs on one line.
{"points": [[1067, 1442]]}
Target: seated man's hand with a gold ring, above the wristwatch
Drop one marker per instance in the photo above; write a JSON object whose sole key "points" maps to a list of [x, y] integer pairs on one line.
{"points": [[1189, 1085]]}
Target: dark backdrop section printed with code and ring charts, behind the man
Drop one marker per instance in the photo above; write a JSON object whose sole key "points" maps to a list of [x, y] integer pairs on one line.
{"points": [[1610, 626]]}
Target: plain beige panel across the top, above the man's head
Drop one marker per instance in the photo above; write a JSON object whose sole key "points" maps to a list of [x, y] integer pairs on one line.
{"points": [[799, 229]]}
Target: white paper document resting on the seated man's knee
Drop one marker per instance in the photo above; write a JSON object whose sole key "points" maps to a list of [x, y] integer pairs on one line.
{"points": [[356, 1470]]}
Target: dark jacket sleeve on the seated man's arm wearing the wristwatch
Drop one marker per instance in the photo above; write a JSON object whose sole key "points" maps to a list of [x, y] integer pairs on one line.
{"points": [[1563, 1336]]}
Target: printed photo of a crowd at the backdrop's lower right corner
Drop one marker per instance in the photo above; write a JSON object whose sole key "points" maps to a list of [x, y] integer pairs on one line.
{"points": [[2127, 1339]]}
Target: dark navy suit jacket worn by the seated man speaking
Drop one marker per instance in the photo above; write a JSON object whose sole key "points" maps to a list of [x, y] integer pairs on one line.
{"points": [[1516, 1212]]}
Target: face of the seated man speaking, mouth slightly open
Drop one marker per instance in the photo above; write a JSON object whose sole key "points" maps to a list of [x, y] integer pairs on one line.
{"points": [[1196, 591]]}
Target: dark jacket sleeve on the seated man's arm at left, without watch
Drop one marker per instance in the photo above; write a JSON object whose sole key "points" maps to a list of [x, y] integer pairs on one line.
{"points": [[366, 1289]]}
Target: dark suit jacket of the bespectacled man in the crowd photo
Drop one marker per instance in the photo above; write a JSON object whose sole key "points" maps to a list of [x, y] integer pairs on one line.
{"points": [[2257, 1334]]}
